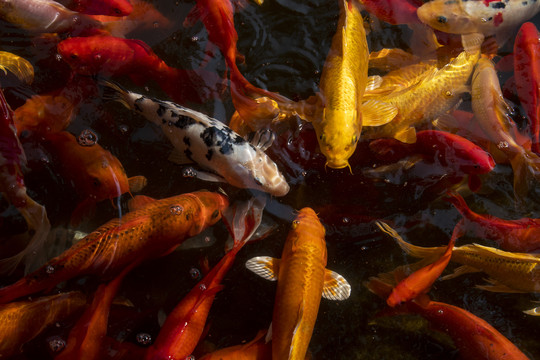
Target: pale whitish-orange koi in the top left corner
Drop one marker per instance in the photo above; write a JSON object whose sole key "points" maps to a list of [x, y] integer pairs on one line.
{"points": [[46, 16]]}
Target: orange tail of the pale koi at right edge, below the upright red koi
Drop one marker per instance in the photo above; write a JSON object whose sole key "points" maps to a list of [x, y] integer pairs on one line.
{"points": [[526, 168]]}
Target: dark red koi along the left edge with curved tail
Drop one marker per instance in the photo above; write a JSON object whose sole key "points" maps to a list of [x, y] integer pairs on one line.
{"points": [[12, 161]]}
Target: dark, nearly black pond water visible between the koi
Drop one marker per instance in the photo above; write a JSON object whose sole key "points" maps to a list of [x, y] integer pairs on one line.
{"points": [[285, 44]]}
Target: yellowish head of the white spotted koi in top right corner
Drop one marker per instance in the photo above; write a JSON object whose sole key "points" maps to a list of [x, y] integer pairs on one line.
{"points": [[447, 16]]}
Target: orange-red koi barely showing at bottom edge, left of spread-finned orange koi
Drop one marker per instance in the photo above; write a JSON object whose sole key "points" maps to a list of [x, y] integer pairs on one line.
{"points": [[256, 349]]}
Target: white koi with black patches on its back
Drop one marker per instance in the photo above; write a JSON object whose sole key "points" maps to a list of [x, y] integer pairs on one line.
{"points": [[207, 142]]}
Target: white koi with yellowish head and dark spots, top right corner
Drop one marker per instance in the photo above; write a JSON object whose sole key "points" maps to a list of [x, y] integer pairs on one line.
{"points": [[486, 17]]}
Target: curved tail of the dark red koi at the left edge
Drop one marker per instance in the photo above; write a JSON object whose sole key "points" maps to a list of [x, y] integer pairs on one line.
{"points": [[35, 252]]}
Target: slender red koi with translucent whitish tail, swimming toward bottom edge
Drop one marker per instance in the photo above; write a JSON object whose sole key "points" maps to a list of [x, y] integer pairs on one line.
{"points": [[183, 327]]}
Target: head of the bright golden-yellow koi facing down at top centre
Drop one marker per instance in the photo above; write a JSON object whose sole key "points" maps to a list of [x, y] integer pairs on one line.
{"points": [[338, 135]]}
